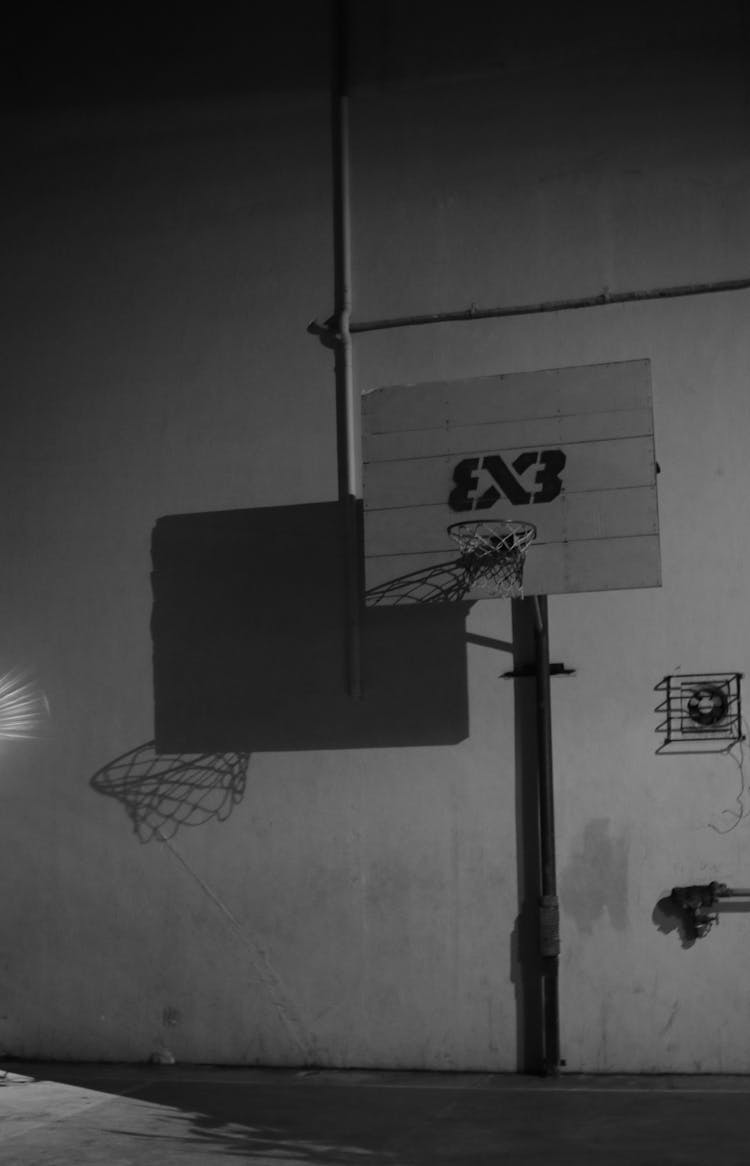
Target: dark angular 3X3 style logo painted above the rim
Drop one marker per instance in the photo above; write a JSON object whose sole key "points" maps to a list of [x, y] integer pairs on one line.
{"points": [[506, 481]]}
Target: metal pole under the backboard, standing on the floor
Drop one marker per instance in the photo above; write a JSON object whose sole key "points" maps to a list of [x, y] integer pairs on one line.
{"points": [[549, 907]]}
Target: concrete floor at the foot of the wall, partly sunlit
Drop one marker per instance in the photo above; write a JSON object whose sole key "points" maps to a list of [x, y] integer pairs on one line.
{"points": [[122, 1115]]}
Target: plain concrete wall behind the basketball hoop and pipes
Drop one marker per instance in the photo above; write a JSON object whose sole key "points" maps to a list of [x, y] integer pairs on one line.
{"points": [[358, 907]]}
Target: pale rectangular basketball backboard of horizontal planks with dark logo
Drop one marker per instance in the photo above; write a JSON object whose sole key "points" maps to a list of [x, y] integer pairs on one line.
{"points": [[569, 449]]}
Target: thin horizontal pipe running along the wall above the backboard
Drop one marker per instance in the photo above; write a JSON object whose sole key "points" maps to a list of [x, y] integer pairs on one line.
{"points": [[545, 306]]}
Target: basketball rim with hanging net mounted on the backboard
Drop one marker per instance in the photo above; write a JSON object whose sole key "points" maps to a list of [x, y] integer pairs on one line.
{"points": [[493, 556]]}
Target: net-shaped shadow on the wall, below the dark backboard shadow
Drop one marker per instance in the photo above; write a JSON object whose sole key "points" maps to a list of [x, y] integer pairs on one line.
{"points": [[163, 793]]}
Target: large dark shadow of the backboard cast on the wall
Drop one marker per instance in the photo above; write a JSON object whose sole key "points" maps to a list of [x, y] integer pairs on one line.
{"points": [[250, 642]]}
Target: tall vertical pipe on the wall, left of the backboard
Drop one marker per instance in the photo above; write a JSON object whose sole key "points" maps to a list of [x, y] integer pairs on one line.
{"points": [[346, 432]]}
